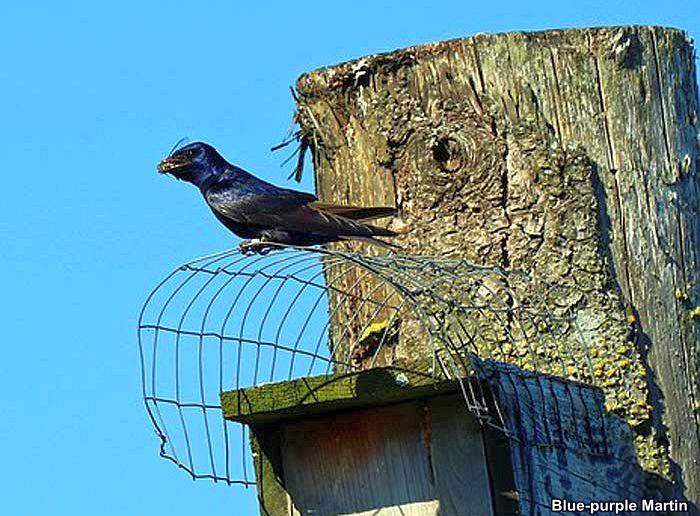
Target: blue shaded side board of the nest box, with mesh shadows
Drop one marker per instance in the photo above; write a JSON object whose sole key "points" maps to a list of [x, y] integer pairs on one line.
{"points": [[565, 446]]}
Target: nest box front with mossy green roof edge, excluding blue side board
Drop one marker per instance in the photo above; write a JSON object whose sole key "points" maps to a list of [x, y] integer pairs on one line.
{"points": [[383, 441]]}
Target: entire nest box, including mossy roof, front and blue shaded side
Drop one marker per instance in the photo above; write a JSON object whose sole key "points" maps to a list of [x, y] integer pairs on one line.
{"points": [[419, 451]]}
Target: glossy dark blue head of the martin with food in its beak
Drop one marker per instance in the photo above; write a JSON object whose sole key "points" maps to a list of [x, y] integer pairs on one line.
{"points": [[196, 163]]}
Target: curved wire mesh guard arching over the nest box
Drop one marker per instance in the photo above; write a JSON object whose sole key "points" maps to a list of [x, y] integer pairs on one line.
{"points": [[228, 321]]}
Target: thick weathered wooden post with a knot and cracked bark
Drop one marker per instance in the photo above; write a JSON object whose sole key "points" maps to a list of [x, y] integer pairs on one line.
{"points": [[572, 154]]}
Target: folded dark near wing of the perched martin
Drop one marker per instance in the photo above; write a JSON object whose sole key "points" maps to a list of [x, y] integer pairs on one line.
{"points": [[256, 203]]}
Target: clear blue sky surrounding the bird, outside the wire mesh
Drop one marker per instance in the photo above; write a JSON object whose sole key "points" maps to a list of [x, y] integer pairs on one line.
{"points": [[91, 97]]}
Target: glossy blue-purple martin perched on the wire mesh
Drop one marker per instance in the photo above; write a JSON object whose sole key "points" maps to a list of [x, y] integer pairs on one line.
{"points": [[264, 213]]}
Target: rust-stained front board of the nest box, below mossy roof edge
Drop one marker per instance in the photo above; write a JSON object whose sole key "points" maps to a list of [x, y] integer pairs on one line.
{"points": [[408, 459]]}
